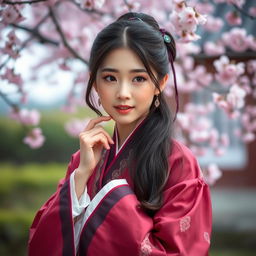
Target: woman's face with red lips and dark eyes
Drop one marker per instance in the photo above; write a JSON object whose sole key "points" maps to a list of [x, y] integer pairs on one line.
{"points": [[125, 88]]}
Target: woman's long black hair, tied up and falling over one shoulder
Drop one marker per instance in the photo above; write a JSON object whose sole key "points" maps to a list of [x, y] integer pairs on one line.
{"points": [[141, 33]]}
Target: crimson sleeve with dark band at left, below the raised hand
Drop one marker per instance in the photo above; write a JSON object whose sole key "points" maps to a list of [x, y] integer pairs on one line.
{"points": [[53, 223]]}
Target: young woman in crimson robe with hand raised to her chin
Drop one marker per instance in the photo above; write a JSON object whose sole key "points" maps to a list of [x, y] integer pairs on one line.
{"points": [[140, 192]]}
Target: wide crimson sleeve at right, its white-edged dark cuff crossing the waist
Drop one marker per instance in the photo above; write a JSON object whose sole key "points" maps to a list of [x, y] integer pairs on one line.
{"points": [[182, 227]]}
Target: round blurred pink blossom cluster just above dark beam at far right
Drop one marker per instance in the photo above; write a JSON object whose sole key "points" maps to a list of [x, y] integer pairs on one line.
{"points": [[236, 39]]}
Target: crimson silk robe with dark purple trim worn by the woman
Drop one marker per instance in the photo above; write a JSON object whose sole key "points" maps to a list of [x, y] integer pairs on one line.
{"points": [[114, 222]]}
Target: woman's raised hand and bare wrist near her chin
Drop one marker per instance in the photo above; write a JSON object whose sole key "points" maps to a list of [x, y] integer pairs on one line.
{"points": [[92, 141]]}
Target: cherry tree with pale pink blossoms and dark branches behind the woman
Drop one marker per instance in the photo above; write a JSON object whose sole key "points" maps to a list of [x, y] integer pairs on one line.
{"points": [[65, 29]]}
